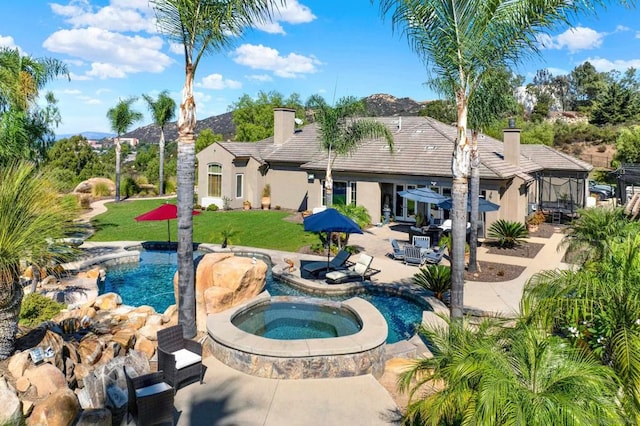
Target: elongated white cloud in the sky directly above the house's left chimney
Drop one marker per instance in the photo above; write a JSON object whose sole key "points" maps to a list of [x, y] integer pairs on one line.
{"points": [[266, 58]]}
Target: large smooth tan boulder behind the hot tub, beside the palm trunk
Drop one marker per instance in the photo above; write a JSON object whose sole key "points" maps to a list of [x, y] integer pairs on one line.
{"points": [[224, 280]]}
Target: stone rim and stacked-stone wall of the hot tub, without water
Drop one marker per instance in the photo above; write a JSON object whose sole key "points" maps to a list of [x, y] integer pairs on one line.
{"points": [[358, 354]]}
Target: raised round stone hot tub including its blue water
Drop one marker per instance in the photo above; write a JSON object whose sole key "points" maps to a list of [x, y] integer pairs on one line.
{"points": [[334, 349]]}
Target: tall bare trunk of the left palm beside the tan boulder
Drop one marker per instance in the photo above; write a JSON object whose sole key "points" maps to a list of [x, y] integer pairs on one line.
{"points": [[186, 180]]}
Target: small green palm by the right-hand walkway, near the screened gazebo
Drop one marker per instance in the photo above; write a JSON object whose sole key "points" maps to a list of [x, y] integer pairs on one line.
{"points": [[588, 237]]}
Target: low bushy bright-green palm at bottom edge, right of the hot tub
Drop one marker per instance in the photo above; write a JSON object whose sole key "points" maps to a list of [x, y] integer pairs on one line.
{"points": [[489, 374]]}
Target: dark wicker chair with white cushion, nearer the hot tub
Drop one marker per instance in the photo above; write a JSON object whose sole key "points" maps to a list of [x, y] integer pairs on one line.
{"points": [[179, 358]]}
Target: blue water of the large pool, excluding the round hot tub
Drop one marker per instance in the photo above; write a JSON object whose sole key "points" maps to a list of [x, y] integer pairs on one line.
{"points": [[151, 283]]}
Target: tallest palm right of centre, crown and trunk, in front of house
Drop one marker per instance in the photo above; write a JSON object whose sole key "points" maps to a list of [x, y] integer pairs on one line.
{"points": [[460, 42]]}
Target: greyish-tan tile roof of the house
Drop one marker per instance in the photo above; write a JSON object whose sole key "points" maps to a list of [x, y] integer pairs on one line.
{"points": [[422, 147]]}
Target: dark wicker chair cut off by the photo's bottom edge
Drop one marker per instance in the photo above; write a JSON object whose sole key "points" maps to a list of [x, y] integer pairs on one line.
{"points": [[150, 398]]}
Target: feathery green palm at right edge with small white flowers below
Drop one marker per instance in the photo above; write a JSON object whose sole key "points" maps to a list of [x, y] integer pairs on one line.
{"points": [[598, 307]]}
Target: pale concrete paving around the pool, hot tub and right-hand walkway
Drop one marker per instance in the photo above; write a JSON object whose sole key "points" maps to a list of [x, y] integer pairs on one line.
{"points": [[230, 397]]}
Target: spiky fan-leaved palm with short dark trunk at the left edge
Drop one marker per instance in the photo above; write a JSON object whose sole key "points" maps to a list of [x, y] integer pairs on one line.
{"points": [[33, 219]]}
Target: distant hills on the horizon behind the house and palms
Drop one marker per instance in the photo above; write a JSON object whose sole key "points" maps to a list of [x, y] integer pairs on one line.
{"points": [[378, 105]]}
